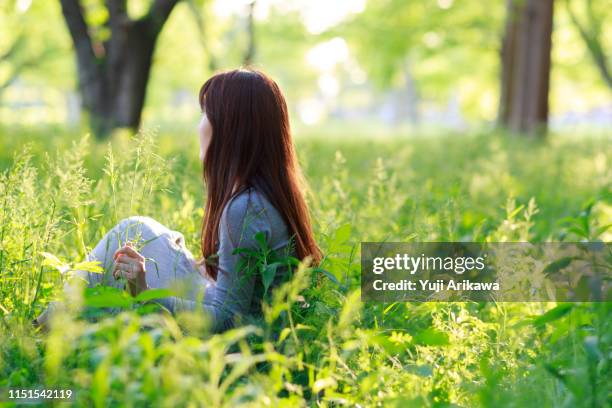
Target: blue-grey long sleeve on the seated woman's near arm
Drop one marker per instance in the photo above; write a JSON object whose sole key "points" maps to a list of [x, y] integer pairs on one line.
{"points": [[242, 219]]}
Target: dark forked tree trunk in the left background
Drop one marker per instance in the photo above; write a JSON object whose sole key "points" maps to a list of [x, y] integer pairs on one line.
{"points": [[113, 75]]}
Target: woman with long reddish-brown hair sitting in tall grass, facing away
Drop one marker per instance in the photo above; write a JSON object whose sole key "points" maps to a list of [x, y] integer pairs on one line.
{"points": [[253, 192]]}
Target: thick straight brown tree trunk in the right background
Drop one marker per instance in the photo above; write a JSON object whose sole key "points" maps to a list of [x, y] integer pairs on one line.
{"points": [[525, 60]]}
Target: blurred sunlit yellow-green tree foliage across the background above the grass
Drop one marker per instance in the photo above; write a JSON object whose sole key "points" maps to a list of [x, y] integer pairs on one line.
{"points": [[449, 50]]}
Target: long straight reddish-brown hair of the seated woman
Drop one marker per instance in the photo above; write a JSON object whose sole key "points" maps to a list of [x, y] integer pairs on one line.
{"points": [[251, 146]]}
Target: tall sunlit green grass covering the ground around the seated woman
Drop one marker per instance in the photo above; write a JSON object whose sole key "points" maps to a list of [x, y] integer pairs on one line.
{"points": [[62, 193]]}
